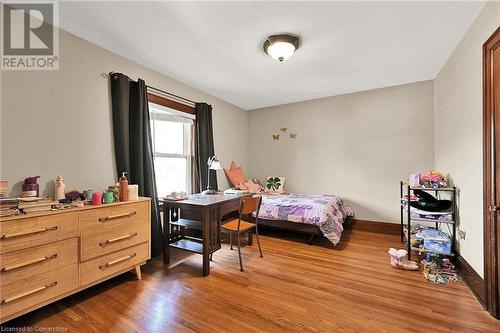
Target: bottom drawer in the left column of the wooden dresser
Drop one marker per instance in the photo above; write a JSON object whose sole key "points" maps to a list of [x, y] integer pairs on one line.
{"points": [[23, 294]]}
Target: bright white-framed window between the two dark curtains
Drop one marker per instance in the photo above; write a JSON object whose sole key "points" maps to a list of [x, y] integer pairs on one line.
{"points": [[171, 136]]}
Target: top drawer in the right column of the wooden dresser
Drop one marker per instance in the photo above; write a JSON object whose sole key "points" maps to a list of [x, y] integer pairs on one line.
{"points": [[94, 220]]}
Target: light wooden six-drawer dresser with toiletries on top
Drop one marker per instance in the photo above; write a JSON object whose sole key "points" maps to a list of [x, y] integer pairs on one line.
{"points": [[47, 256]]}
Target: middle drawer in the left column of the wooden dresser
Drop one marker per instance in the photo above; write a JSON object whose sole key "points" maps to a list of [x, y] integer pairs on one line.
{"points": [[19, 265]]}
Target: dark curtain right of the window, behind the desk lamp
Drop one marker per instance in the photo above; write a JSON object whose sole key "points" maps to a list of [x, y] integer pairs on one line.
{"points": [[204, 147]]}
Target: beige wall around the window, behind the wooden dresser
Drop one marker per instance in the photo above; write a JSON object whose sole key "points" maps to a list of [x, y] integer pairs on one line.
{"points": [[59, 122]]}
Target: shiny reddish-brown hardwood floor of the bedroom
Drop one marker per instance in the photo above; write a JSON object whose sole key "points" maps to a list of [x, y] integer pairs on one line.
{"points": [[294, 288]]}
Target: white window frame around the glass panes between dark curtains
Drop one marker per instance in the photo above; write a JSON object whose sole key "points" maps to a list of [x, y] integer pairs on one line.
{"points": [[172, 115]]}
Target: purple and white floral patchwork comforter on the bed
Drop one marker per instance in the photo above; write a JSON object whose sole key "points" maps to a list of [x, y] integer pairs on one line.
{"points": [[328, 212]]}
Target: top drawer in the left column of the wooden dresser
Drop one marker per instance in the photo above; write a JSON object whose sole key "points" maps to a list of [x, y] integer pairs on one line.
{"points": [[32, 231]]}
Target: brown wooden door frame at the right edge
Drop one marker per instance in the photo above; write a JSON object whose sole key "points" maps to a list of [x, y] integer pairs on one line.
{"points": [[490, 230]]}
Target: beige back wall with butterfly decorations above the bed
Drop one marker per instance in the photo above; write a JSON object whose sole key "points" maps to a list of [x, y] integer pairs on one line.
{"points": [[357, 146]]}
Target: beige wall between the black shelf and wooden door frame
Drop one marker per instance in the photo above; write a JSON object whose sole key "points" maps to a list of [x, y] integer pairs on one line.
{"points": [[458, 129]]}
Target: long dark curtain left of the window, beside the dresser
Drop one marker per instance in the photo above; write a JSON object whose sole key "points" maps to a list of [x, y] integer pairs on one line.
{"points": [[133, 146]]}
